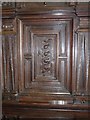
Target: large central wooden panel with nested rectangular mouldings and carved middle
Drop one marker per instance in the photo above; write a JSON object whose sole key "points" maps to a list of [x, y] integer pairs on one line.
{"points": [[45, 57]]}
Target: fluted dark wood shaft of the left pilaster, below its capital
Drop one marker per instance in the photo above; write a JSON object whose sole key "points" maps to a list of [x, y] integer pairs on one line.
{"points": [[8, 63]]}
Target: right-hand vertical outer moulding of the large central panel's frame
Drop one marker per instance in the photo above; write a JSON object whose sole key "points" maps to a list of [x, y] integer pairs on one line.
{"points": [[68, 38]]}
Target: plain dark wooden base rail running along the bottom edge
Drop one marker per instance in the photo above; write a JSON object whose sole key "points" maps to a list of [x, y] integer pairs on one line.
{"points": [[25, 111]]}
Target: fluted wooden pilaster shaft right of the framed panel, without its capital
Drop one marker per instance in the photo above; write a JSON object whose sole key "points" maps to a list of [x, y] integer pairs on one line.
{"points": [[82, 64]]}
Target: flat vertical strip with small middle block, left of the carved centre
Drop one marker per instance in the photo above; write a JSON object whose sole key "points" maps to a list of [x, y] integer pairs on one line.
{"points": [[27, 54]]}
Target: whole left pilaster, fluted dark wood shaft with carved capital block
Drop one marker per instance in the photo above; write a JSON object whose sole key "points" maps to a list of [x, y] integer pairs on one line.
{"points": [[10, 55]]}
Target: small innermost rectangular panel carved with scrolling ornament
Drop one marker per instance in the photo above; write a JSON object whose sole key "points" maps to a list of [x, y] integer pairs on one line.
{"points": [[45, 55]]}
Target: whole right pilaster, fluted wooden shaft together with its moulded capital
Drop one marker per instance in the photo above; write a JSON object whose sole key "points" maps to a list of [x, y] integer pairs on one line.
{"points": [[81, 58]]}
